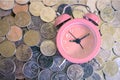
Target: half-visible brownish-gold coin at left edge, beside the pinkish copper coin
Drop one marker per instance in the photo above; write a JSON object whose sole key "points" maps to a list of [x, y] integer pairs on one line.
{"points": [[4, 28]]}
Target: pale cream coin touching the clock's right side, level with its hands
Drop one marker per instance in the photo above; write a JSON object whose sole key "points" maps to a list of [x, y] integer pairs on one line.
{"points": [[107, 39]]}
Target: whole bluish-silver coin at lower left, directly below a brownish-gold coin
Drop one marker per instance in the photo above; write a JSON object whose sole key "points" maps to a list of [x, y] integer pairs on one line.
{"points": [[31, 69]]}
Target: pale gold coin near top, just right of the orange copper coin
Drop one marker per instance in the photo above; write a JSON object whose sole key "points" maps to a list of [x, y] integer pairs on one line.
{"points": [[35, 8]]}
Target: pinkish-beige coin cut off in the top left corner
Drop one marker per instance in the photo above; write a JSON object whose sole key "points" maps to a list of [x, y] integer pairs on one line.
{"points": [[6, 4]]}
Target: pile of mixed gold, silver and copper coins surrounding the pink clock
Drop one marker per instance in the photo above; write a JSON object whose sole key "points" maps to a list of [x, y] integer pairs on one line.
{"points": [[27, 41]]}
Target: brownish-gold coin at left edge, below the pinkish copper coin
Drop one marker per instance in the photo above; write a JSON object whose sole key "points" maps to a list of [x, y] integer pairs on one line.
{"points": [[7, 49]]}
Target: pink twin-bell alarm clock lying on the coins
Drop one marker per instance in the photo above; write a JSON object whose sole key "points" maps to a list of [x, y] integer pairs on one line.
{"points": [[78, 40]]}
